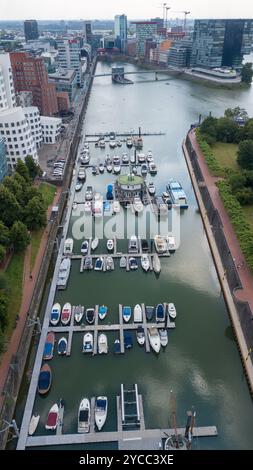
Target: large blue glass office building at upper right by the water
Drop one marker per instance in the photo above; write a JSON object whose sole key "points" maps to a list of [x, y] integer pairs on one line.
{"points": [[218, 43]]}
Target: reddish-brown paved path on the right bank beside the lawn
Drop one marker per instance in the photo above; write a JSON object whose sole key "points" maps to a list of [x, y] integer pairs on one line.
{"points": [[246, 276]]}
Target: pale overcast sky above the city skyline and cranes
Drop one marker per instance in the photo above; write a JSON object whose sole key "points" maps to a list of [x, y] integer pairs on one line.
{"points": [[134, 9]]}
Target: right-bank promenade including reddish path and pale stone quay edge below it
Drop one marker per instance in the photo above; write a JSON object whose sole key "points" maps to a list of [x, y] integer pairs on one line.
{"points": [[245, 294]]}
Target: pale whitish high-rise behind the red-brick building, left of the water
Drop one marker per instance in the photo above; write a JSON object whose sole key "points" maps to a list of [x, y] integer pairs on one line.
{"points": [[70, 56]]}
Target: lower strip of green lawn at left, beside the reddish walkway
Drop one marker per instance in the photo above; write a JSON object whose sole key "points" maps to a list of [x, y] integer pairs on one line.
{"points": [[14, 275]]}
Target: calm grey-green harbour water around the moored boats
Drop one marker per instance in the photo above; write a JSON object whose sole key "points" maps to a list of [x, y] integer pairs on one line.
{"points": [[201, 362]]}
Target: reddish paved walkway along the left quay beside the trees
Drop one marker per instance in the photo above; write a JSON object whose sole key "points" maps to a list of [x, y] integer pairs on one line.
{"points": [[29, 281]]}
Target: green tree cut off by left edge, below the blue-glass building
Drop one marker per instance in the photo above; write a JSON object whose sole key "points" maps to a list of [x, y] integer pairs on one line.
{"points": [[10, 210]]}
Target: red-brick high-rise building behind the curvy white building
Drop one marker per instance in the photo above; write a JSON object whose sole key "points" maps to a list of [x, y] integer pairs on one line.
{"points": [[30, 74]]}
